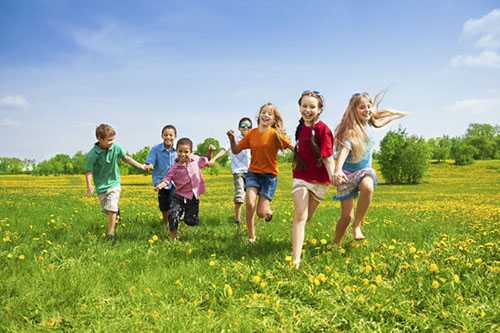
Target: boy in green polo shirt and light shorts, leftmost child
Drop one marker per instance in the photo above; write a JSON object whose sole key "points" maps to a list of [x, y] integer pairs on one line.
{"points": [[102, 164]]}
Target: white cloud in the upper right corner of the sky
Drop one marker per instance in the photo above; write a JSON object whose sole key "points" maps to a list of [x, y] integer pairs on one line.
{"points": [[487, 28]]}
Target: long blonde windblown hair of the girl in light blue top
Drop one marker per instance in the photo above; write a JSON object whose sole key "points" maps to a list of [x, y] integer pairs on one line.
{"points": [[353, 129]]}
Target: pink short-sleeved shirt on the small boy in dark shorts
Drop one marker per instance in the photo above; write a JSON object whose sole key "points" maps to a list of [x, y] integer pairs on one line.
{"points": [[188, 180]]}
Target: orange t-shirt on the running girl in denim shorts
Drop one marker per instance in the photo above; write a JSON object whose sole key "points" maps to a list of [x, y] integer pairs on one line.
{"points": [[264, 147]]}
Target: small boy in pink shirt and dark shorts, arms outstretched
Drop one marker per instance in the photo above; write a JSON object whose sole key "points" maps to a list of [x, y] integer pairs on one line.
{"points": [[189, 184]]}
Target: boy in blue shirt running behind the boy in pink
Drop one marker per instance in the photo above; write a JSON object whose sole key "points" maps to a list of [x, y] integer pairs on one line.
{"points": [[161, 158]]}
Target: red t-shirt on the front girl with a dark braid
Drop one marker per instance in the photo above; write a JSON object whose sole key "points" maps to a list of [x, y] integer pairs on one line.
{"points": [[312, 172]]}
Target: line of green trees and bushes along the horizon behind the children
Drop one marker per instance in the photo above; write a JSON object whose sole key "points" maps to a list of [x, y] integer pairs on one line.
{"points": [[480, 142]]}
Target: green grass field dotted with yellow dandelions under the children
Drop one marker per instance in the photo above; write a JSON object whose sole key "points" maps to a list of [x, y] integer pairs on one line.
{"points": [[430, 262]]}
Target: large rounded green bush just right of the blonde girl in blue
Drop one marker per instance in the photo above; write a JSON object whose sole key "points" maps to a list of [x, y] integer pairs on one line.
{"points": [[403, 159]]}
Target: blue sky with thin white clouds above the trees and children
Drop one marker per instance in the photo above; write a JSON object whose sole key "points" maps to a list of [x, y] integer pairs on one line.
{"points": [[66, 66]]}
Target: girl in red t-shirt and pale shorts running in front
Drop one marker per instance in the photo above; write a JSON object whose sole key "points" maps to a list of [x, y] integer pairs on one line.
{"points": [[313, 166]]}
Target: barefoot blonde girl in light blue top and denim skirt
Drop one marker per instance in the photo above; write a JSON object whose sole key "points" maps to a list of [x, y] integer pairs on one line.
{"points": [[353, 166]]}
